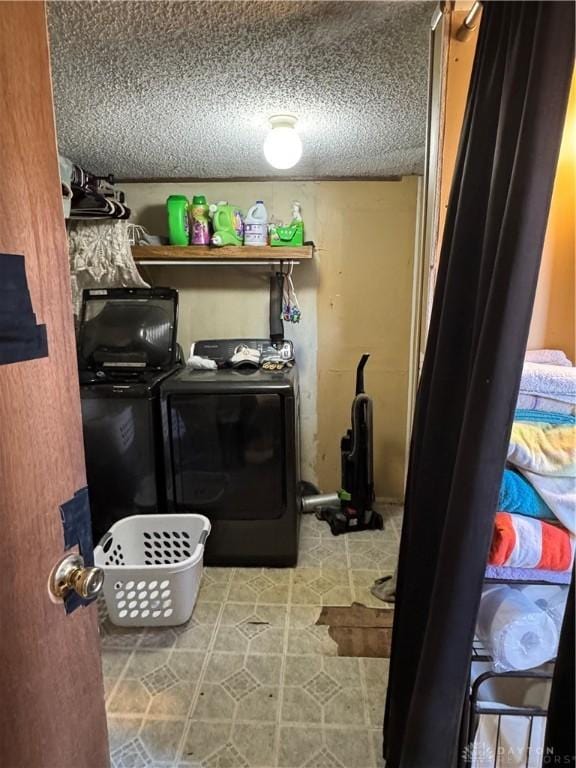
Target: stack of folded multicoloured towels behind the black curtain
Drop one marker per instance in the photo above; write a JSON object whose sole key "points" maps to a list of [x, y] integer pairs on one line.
{"points": [[540, 479]]}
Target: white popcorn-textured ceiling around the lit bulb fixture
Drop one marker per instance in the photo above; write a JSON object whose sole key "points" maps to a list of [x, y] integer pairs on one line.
{"points": [[184, 89]]}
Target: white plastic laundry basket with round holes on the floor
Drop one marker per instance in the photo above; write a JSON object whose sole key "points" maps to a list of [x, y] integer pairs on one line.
{"points": [[152, 566]]}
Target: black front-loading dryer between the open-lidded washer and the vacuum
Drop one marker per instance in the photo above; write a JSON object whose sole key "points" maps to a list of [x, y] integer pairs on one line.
{"points": [[232, 454]]}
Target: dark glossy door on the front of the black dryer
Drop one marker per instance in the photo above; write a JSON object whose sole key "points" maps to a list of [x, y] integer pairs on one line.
{"points": [[228, 457]]}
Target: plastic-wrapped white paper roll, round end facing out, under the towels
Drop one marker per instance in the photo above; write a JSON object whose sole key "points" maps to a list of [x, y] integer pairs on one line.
{"points": [[517, 633]]}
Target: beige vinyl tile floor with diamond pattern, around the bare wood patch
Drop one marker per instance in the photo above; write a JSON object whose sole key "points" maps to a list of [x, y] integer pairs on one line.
{"points": [[251, 681]]}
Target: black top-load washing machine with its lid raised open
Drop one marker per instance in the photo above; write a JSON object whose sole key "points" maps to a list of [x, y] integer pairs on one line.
{"points": [[126, 348]]}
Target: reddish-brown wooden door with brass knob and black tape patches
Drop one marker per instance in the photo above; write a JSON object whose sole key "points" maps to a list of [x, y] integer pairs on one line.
{"points": [[51, 693]]}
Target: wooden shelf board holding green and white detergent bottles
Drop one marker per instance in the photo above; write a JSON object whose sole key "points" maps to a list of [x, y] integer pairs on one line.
{"points": [[144, 253]]}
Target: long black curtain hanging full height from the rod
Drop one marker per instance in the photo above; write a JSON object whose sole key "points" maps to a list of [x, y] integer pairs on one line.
{"points": [[488, 269]]}
